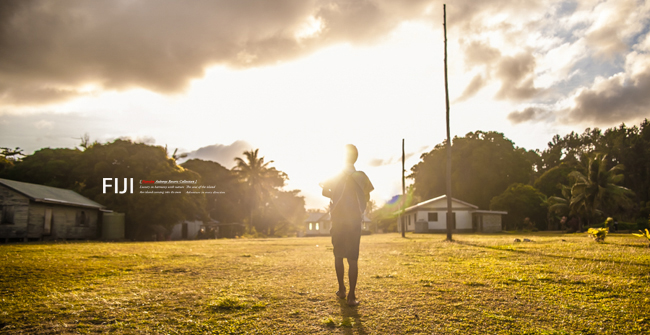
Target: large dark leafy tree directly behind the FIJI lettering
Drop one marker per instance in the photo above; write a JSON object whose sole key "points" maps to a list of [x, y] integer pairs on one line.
{"points": [[125, 159]]}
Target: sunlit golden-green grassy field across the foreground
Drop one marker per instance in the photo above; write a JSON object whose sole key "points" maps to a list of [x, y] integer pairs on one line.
{"points": [[556, 284]]}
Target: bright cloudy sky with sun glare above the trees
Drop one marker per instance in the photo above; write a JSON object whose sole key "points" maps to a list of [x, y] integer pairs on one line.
{"points": [[300, 79]]}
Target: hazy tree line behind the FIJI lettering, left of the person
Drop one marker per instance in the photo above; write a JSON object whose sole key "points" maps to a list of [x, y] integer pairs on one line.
{"points": [[251, 193]]}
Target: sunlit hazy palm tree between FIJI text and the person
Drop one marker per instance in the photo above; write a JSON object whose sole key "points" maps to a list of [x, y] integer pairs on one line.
{"points": [[260, 180]]}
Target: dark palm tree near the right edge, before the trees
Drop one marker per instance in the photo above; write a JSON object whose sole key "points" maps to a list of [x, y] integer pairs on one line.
{"points": [[598, 190]]}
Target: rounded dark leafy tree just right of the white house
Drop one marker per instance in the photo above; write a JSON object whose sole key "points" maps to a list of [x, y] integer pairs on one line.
{"points": [[521, 201]]}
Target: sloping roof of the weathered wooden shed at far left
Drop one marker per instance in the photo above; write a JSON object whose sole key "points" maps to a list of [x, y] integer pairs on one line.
{"points": [[48, 194]]}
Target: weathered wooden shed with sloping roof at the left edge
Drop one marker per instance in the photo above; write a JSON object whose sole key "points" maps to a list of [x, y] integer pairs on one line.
{"points": [[37, 212]]}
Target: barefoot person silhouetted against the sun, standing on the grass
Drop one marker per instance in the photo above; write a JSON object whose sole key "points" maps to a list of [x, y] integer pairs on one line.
{"points": [[349, 193]]}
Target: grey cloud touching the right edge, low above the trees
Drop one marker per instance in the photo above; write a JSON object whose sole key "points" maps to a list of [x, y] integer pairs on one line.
{"points": [[613, 101]]}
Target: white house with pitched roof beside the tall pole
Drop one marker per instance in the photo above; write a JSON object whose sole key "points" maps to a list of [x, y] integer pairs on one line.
{"points": [[431, 217]]}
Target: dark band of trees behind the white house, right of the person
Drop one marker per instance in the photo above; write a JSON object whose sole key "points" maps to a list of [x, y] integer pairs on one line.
{"points": [[576, 181]]}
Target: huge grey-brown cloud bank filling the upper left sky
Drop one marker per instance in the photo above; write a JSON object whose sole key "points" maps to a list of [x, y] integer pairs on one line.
{"points": [[49, 49]]}
